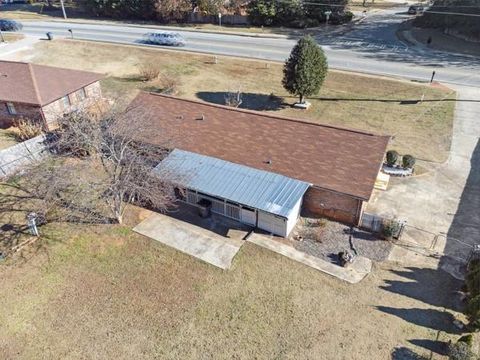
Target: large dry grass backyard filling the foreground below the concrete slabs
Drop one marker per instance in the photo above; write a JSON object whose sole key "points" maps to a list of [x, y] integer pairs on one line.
{"points": [[105, 292]]}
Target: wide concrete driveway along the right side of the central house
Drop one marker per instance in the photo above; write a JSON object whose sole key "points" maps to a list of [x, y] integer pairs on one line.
{"points": [[442, 206]]}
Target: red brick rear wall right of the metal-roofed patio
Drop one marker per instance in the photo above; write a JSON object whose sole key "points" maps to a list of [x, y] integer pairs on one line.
{"points": [[323, 203]]}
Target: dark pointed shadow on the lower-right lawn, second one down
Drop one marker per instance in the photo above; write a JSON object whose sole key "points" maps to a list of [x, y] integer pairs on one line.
{"points": [[428, 318]]}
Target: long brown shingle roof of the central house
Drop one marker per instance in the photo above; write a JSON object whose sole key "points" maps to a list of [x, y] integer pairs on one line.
{"points": [[342, 160]]}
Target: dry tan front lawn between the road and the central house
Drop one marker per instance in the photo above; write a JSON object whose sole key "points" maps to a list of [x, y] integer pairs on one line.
{"points": [[369, 103]]}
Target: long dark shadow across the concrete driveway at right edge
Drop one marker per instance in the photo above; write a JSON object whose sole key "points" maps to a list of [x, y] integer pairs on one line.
{"points": [[464, 231]]}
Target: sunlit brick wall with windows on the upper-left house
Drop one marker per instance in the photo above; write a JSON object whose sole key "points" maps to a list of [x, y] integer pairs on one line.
{"points": [[58, 108]]}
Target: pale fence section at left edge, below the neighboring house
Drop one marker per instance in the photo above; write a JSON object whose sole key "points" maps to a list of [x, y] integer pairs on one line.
{"points": [[15, 157]]}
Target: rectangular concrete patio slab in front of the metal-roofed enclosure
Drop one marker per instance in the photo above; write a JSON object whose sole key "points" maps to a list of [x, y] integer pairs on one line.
{"points": [[193, 240]]}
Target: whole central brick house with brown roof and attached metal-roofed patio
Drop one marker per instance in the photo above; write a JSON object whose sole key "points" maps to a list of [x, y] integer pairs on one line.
{"points": [[262, 169]]}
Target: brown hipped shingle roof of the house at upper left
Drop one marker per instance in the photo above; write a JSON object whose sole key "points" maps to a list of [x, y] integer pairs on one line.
{"points": [[39, 84]]}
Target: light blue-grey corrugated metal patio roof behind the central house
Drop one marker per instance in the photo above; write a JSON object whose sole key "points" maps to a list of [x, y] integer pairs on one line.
{"points": [[263, 190]]}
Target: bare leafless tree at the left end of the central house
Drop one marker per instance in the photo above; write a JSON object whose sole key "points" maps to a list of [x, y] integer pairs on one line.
{"points": [[113, 145]]}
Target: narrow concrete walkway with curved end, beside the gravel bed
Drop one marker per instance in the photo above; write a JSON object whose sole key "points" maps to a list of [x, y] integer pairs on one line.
{"points": [[352, 274]]}
